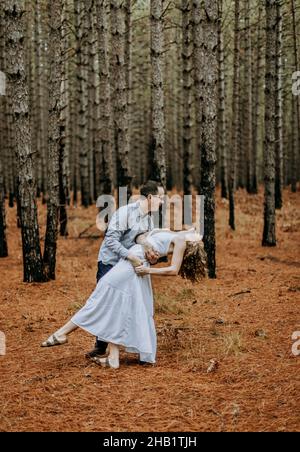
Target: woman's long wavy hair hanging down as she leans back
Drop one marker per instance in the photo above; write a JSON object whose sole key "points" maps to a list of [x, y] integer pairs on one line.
{"points": [[194, 264]]}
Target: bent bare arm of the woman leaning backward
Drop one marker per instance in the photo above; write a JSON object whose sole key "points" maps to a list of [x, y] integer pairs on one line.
{"points": [[173, 269]]}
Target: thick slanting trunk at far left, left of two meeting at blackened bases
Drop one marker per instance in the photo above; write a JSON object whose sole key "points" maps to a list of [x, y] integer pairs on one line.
{"points": [[15, 19]]}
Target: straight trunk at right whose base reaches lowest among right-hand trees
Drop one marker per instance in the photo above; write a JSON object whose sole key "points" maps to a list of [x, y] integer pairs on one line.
{"points": [[269, 233]]}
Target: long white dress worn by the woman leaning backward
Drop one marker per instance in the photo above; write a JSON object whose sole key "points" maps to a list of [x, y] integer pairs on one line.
{"points": [[120, 310]]}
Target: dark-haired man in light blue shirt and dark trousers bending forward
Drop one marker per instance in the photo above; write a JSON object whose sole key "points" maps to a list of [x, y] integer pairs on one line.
{"points": [[126, 224]]}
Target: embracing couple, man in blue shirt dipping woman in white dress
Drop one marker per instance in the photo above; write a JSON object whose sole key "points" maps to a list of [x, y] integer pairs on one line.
{"points": [[120, 310]]}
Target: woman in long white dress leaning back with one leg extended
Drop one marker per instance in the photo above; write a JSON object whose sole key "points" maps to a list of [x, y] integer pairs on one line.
{"points": [[120, 310]]}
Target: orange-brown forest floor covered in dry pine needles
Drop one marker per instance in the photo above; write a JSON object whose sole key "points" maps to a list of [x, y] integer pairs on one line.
{"points": [[243, 320]]}
